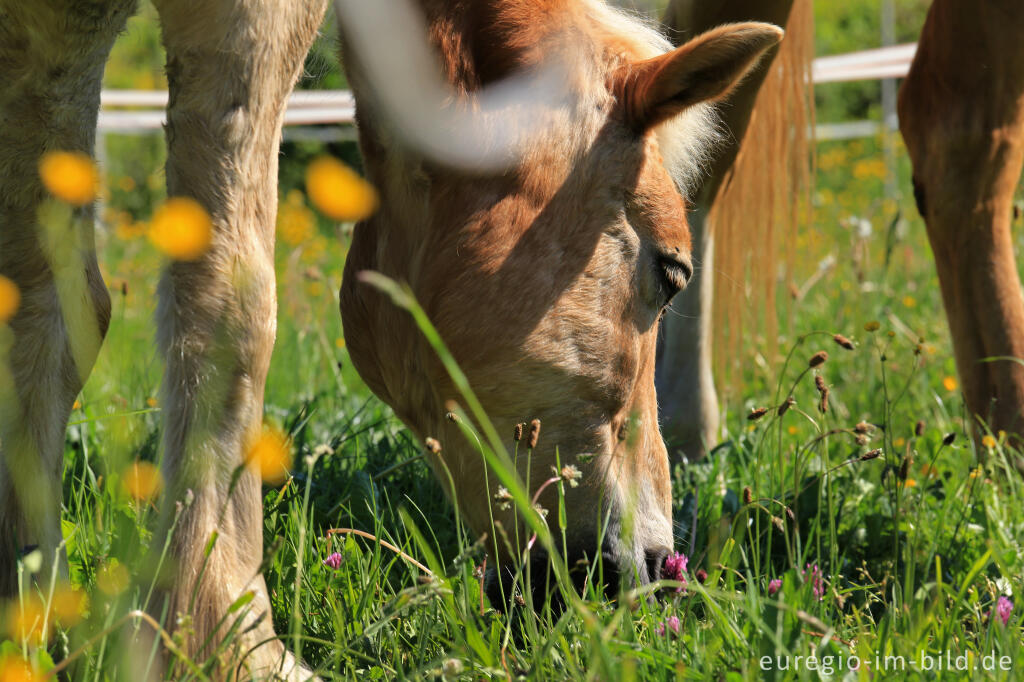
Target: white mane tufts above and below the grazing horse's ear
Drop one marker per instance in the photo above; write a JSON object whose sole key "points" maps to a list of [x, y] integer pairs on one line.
{"points": [[688, 141]]}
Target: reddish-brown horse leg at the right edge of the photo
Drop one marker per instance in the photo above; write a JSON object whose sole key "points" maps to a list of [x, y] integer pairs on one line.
{"points": [[962, 115]]}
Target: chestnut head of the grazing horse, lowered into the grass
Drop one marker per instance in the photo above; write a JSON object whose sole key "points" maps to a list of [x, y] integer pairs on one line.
{"points": [[547, 280]]}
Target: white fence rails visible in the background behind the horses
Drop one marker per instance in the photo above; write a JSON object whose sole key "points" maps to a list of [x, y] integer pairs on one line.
{"points": [[143, 111]]}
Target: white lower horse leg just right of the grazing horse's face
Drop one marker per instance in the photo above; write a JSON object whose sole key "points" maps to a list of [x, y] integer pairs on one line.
{"points": [[688, 401]]}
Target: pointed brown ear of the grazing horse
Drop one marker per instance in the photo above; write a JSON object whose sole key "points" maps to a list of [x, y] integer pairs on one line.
{"points": [[707, 68]]}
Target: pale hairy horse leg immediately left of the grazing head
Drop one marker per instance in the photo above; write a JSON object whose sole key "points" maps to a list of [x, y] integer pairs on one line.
{"points": [[231, 67]]}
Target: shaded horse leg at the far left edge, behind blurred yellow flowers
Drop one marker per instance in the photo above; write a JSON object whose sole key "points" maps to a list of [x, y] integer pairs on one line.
{"points": [[52, 65]]}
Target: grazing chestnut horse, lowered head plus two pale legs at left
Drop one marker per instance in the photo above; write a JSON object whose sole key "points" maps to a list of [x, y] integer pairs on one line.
{"points": [[547, 279]]}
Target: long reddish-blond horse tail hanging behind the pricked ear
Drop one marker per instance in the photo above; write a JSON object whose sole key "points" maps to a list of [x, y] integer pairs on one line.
{"points": [[762, 199]]}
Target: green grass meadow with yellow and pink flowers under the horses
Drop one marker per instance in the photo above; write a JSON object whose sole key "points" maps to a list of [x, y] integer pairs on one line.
{"points": [[848, 536]]}
